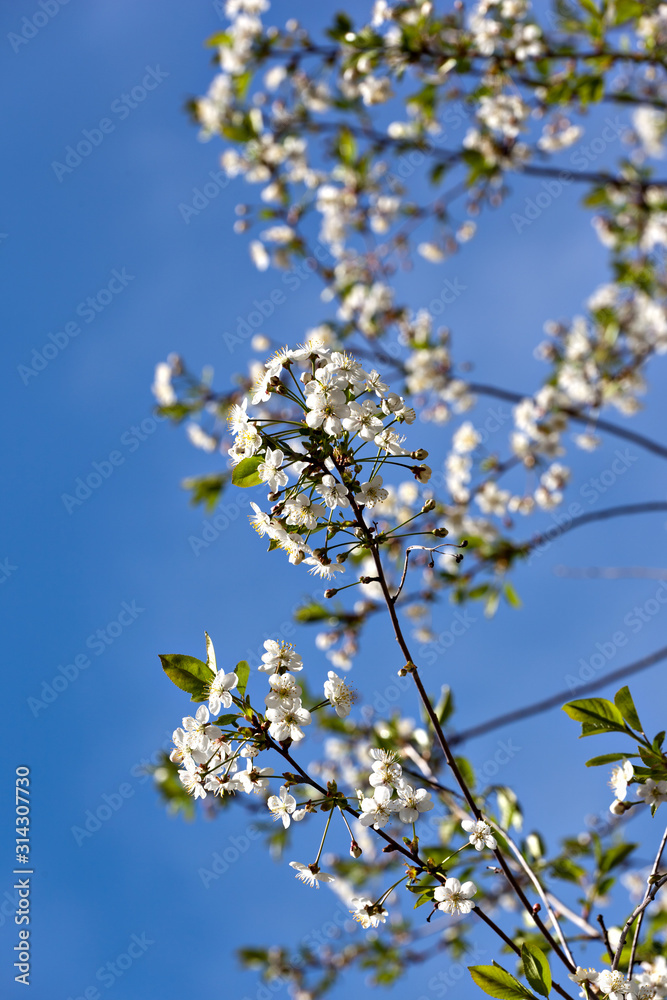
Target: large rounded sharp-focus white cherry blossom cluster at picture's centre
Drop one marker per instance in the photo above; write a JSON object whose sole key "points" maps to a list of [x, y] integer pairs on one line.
{"points": [[345, 412]]}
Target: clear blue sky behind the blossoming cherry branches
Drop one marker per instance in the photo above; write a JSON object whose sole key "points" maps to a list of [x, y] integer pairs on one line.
{"points": [[121, 562]]}
